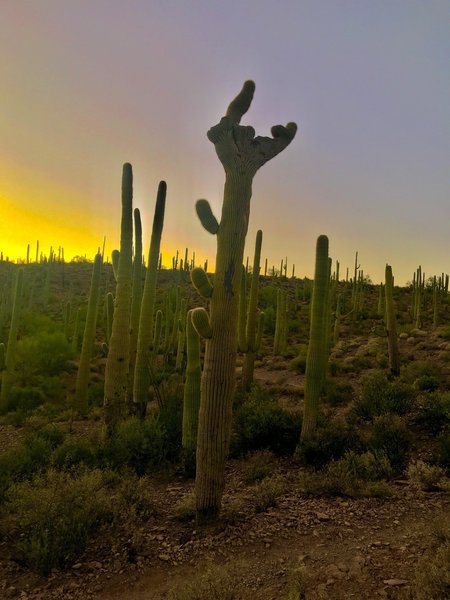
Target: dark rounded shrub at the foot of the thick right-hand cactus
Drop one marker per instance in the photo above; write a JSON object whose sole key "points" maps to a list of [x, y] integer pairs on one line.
{"points": [[330, 441]]}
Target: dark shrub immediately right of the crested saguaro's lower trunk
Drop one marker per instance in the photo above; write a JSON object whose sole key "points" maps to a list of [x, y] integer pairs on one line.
{"points": [[259, 423]]}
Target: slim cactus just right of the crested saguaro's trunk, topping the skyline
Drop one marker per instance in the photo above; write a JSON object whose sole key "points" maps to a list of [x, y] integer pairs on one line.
{"points": [[249, 358]]}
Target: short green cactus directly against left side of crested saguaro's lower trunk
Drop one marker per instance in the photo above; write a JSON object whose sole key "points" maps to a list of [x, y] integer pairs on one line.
{"points": [[191, 399]]}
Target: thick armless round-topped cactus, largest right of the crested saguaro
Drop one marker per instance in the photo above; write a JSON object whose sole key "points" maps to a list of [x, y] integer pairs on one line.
{"points": [[316, 358]]}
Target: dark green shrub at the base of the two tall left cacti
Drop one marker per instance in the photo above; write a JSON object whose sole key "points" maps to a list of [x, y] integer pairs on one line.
{"points": [[136, 444]]}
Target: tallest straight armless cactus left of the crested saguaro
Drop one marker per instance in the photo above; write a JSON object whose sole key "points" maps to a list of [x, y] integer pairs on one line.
{"points": [[117, 362]]}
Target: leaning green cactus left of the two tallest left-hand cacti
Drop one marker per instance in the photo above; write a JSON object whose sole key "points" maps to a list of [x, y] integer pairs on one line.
{"points": [[81, 388]]}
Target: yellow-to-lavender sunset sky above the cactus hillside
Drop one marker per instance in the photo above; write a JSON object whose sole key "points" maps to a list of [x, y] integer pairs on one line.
{"points": [[87, 85]]}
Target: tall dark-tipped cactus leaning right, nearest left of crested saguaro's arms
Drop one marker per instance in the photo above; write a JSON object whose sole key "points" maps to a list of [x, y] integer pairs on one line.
{"points": [[146, 320]]}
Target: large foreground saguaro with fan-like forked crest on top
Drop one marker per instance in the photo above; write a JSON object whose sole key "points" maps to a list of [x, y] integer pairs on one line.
{"points": [[241, 154]]}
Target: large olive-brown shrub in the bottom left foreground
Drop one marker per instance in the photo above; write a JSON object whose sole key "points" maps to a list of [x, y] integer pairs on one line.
{"points": [[52, 517]]}
